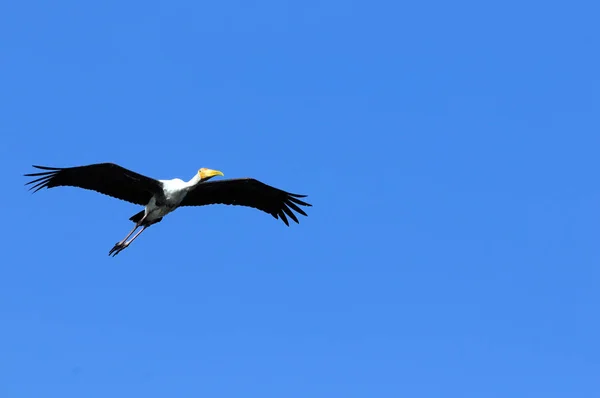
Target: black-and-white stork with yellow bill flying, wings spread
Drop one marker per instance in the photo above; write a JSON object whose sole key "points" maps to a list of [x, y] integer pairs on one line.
{"points": [[161, 197]]}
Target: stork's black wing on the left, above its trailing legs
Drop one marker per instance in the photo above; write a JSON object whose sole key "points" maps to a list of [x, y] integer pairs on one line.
{"points": [[106, 178]]}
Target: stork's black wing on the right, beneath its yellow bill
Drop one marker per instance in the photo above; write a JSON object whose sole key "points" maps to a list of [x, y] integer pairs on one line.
{"points": [[250, 193]]}
